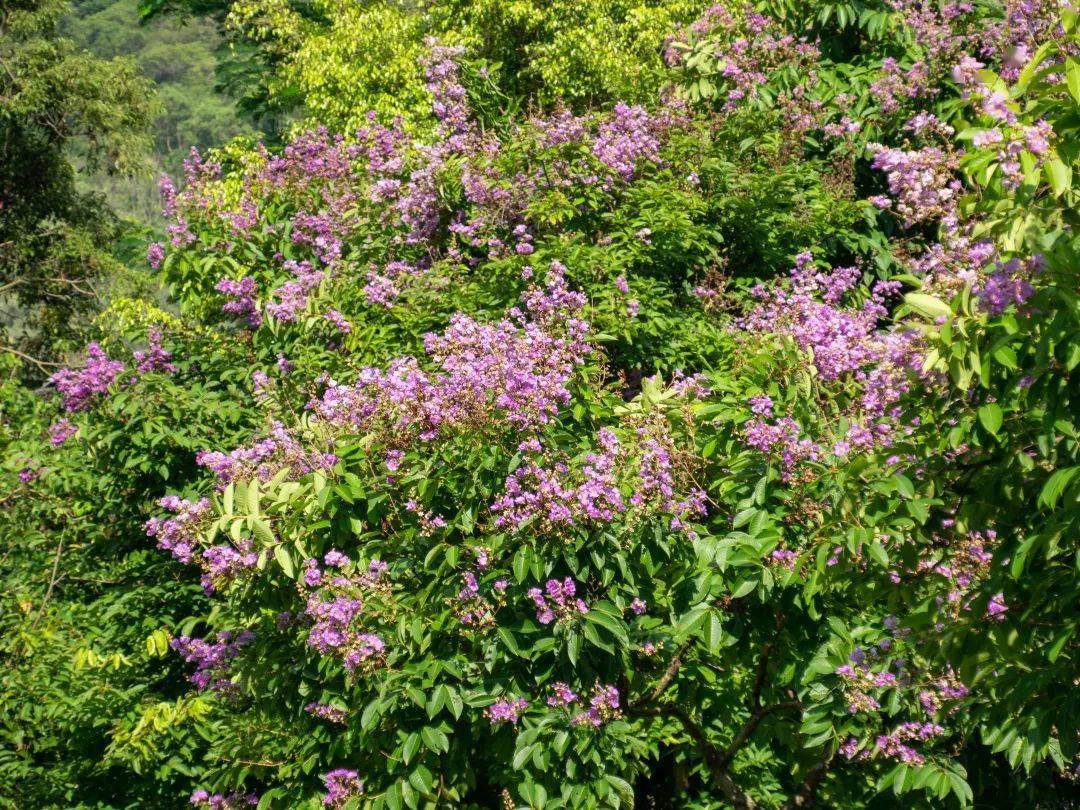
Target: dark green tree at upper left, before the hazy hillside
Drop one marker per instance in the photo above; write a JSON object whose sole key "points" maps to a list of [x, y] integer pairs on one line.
{"points": [[55, 240]]}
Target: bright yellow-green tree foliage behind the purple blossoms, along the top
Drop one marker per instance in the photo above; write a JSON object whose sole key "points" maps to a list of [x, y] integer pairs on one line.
{"points": [[344, 60]]}
